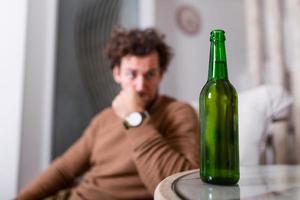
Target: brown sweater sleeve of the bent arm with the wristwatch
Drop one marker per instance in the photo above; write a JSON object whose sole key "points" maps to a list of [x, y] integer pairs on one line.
{"points": [[158, 155]]}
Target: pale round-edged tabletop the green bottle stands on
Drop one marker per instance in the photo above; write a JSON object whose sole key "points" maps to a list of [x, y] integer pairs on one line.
{"points": [[256, 182]]}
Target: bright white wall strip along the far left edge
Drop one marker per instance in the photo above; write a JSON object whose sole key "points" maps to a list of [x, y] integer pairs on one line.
{"points": [[12, 52]]}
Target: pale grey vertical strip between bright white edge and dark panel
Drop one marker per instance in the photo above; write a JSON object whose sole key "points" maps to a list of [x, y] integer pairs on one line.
{"points": [[38, 89]]}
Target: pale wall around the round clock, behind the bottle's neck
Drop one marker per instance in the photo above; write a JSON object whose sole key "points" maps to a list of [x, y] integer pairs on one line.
{"points": [[188, 71]]}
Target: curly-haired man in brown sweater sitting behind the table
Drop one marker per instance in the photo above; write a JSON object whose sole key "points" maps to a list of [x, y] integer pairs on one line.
{"points": [[130, 147]]}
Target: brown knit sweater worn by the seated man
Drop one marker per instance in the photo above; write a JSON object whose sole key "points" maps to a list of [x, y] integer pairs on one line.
{"points": [[124, 164]]}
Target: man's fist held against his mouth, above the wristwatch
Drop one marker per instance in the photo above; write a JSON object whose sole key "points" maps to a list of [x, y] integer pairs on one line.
{"points": [[126, 102]]}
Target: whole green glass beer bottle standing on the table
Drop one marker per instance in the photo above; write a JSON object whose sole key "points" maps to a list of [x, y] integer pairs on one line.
{"points": [[218, 107]]}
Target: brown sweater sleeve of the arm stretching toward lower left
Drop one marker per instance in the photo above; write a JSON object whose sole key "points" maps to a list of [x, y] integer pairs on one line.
{"points": [[63, 170]]}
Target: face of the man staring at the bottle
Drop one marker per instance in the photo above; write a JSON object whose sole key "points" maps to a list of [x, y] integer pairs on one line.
{"points": [[141, 73]]}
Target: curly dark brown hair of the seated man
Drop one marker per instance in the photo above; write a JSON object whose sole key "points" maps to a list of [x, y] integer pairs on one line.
{"points": [[140, 43]]}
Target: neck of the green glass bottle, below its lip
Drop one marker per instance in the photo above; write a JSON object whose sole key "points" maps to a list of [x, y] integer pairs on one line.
{"points": [[217, 61]]}
